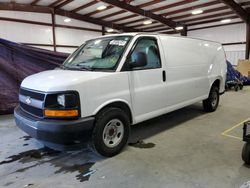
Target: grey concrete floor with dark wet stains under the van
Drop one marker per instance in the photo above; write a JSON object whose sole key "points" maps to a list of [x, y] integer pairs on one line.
{"points": [[186, 148]]}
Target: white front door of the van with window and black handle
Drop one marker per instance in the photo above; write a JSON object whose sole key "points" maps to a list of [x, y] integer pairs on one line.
{"points": [[147, 83]]}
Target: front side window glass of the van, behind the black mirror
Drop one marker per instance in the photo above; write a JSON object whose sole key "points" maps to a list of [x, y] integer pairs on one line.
{"points": [[150, 48]]}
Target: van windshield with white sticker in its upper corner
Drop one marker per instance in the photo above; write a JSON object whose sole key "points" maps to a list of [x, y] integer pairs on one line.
{"points": [[98, 54]]}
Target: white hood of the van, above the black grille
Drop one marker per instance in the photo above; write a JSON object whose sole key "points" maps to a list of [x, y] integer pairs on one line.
{"points": [[60, 80]]}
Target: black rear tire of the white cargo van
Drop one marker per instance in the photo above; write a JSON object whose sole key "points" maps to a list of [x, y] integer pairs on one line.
{"points": [[210, 105]]}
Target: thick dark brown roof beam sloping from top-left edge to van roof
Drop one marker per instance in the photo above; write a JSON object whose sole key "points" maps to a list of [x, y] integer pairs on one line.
{"points": [[43, 9]]}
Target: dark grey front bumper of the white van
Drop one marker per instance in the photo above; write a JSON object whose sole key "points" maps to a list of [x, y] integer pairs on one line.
{"points": [[63, 132]]}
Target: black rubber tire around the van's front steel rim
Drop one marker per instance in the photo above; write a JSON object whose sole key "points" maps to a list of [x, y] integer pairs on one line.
{"points": [[103, 120]]}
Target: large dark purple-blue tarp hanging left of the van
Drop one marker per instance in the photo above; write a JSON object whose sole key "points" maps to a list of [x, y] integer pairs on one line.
{"points": [[18, 61]]}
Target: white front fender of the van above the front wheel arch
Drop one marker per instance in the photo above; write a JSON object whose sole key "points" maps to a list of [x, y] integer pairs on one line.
{"points": [[98, 93]]}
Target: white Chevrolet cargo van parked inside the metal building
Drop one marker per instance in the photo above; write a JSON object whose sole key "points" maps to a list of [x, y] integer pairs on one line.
{"points": [[115, 81]]}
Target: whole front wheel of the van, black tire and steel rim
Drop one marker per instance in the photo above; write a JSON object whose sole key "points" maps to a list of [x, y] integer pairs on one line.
{"points": [[111, 131]]}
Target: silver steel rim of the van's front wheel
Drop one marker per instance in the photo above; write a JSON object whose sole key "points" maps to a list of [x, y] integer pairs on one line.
{"points": [[113, 133]]}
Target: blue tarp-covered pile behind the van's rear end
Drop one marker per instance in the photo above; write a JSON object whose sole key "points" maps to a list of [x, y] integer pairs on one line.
{"points": [[233, 74]]}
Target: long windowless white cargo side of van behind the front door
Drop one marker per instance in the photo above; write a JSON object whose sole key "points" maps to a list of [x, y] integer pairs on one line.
{"points": [[191, 67]]}
